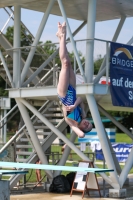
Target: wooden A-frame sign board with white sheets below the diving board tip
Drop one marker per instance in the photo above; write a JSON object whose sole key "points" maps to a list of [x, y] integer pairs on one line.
{"points": [[85, 181]]}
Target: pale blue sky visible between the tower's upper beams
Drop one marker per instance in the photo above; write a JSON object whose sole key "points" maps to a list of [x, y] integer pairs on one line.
{"points": [[103, 30]]}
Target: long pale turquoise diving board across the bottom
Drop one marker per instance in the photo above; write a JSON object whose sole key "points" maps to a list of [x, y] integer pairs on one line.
{"points": [[53, 167]]}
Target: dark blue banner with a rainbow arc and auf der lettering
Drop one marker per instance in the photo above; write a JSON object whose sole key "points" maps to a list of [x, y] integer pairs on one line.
{"points": [[121, 74]]}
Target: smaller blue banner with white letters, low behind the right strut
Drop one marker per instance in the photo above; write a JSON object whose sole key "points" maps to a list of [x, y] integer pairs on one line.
{"points": [[121, 150]]}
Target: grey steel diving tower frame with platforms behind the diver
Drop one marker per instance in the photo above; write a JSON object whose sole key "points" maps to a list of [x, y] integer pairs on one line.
{"points": [[97, 96]]}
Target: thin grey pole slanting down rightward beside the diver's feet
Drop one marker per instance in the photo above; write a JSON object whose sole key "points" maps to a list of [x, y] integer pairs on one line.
{"points": [[72, 40]]}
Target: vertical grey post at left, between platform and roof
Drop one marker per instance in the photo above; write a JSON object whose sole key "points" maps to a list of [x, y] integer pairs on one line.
{"points": [[16, 63]]}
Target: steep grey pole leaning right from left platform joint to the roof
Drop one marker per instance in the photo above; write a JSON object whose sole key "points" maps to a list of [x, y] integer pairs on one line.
{"points": [[37, 38]]}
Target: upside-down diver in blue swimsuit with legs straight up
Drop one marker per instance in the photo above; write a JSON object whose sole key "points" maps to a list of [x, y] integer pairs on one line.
{"points": [[73, 107]]}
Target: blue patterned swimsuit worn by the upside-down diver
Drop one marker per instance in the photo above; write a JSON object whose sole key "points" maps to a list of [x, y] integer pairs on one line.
{"points": [[69, 100]]}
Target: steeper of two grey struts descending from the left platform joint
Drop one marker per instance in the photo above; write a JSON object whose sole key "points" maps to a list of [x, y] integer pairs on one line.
{"points": [[33, 135]]}
